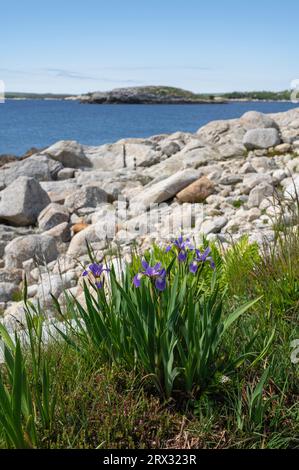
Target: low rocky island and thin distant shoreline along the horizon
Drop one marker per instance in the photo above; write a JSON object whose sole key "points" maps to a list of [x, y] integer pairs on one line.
{"points": [[156, 95]]}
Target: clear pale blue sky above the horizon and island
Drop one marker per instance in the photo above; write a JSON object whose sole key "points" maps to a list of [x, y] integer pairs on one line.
{"points": [[206, 46]]}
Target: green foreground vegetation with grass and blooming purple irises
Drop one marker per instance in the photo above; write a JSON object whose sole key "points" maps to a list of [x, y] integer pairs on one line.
{"points": [[196, 356]]}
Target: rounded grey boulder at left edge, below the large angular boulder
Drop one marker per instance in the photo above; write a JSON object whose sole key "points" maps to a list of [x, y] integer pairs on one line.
{"points": [[41, 248]]}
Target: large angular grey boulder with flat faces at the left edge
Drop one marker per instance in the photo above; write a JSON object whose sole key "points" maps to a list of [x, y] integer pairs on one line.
{"points": [[22, 201]]}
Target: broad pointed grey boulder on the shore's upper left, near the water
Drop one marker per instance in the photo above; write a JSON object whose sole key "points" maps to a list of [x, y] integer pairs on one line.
{"points": [[70, 153]]}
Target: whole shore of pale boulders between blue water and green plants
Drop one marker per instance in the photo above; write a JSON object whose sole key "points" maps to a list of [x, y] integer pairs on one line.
{"points": [[220, 182]]}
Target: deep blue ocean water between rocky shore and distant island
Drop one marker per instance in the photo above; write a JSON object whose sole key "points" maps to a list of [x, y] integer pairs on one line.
{"points": [[38, 123]]}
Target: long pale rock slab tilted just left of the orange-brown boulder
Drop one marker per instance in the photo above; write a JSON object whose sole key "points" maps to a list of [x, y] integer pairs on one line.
{"points": [[165, 189]]}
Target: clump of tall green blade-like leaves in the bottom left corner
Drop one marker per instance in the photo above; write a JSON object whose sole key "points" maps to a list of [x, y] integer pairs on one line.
{"points": [[26, 396]]}
